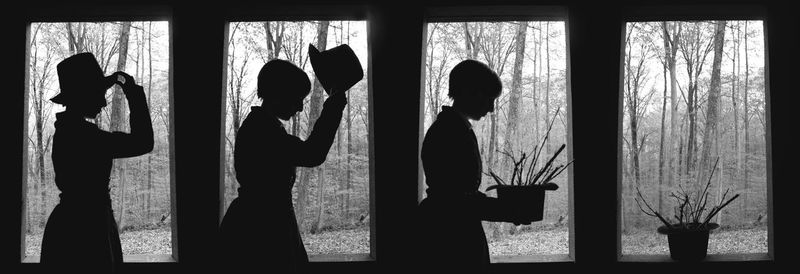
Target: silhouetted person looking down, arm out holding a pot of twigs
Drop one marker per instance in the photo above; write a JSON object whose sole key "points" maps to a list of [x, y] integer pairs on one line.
{"points": [[452, 237]]}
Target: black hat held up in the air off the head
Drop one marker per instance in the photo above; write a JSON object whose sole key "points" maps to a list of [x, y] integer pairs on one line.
{"points": [[337, 68]]}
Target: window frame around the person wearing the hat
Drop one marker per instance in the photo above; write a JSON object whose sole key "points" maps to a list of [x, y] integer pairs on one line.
{"points": [[105, 13]]}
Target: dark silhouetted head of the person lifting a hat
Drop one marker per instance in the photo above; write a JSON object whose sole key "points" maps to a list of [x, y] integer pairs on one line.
{"points": [[282, 86]]}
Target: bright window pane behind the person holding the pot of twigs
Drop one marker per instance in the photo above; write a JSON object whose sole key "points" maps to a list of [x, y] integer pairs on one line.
{"points": [[537, 81]]}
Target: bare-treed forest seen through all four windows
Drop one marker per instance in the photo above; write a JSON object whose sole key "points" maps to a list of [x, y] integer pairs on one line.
{"points": [[691, 92]]}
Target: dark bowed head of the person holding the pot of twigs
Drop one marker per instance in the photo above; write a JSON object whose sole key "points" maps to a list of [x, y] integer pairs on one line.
{"points": [[473, 88]]}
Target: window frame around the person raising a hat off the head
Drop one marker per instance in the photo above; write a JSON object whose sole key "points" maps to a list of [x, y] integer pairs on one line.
{"points": [[330, 12]]}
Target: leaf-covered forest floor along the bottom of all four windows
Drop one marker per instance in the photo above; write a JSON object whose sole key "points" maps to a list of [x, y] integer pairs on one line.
{"points": [[553, 241]]}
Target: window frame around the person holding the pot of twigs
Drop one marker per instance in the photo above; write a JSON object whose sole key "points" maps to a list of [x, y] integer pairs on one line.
{"points": [[502, 13]]}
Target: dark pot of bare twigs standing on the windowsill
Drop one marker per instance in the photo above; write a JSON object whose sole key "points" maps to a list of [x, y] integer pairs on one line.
{"points": [[687, 234]]}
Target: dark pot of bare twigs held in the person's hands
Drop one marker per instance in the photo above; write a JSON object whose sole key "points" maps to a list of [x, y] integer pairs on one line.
{"points": [[525, 191]]}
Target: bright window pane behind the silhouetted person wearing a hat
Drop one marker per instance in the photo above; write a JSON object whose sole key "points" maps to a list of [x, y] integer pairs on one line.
{"points": [[140, 186]]}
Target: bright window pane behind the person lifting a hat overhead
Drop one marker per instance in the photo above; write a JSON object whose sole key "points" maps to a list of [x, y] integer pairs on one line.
{"points": [[331, 201]]}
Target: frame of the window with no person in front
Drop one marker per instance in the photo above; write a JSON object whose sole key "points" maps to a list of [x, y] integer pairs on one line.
{"points": [[701, 12]]}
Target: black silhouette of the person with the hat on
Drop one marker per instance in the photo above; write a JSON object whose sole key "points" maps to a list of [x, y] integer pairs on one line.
{"points": [[81, 228]]}
